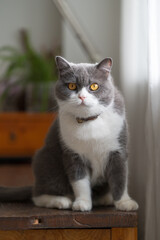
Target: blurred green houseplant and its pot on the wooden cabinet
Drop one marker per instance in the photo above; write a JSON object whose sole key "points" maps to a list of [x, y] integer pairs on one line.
{"points": [[28, 78]]}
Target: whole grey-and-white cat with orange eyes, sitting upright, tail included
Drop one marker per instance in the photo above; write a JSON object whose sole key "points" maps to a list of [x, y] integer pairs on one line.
{"points": [[84, 159]]}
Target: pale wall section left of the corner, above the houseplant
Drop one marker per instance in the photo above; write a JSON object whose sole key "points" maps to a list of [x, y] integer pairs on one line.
{"points": [[40, 17]]}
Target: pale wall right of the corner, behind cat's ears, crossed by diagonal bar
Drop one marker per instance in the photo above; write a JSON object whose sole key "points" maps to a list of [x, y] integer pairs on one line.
{"points": [[100, 20]]}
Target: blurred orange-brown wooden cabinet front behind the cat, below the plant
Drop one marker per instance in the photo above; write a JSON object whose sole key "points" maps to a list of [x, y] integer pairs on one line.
{"points": [[21, 134]]}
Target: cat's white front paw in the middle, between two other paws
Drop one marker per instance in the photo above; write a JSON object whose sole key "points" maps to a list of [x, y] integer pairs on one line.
{"points": [[82, 205]]}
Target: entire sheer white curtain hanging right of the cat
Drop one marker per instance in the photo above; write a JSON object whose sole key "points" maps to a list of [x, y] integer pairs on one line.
{"points": [[140, 82]]}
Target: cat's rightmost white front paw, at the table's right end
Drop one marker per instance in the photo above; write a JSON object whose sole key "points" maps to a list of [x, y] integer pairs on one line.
{"points": [[126, 205]]}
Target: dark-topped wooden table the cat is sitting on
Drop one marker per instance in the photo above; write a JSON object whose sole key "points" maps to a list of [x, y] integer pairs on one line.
{"points": [[25, 221]]}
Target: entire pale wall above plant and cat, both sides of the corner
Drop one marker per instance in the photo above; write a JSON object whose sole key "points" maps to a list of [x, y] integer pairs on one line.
{"points": [[100, 20]]}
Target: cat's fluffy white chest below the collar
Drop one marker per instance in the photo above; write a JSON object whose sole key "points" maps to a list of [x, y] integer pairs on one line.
{"points": [[93, 140]]}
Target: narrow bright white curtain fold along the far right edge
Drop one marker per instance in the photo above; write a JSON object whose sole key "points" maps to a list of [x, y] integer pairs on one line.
{"points": [[152, 229]]}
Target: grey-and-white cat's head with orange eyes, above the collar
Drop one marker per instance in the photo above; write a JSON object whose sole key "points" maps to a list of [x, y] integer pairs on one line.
{"points": [[84, 89]]}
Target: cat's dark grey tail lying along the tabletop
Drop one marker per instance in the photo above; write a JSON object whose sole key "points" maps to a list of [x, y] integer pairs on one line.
{"points": [[12, 194]]}
